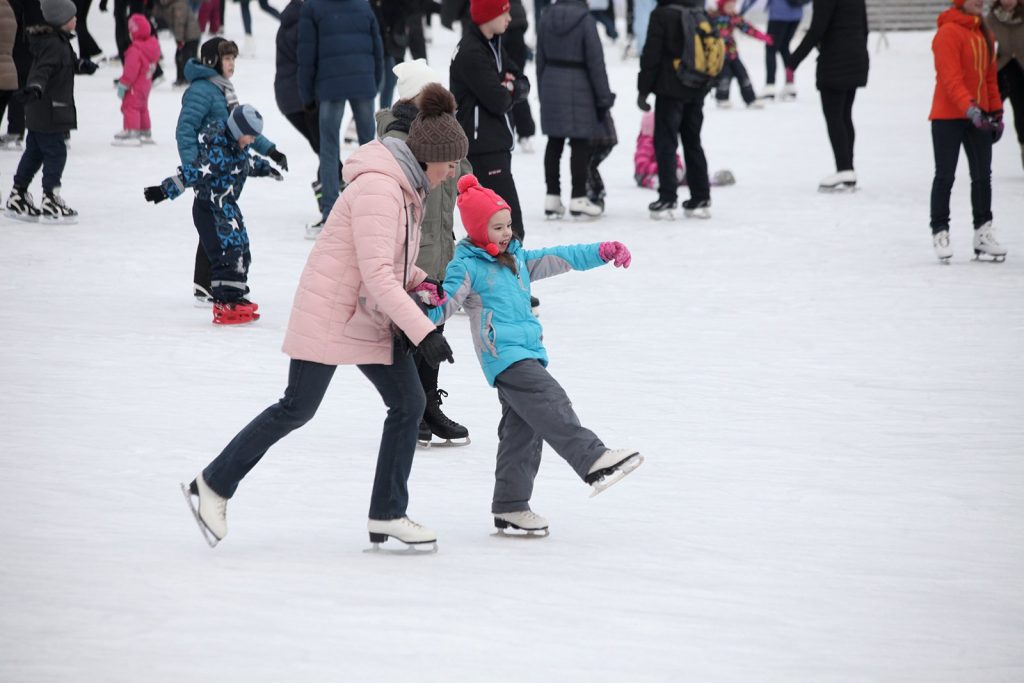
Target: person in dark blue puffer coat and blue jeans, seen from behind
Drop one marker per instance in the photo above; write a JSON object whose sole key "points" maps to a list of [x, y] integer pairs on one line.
{"points": [[342, 59]]}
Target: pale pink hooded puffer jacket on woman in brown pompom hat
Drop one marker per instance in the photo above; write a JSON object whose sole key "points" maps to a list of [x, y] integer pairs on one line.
{"points": [[352, 288]]}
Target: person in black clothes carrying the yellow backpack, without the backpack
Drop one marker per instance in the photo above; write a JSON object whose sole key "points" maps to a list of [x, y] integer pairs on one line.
{"points": [[678, 112]]}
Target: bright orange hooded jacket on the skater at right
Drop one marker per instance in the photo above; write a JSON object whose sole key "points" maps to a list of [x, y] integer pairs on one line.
{"points": [[965, 67]]}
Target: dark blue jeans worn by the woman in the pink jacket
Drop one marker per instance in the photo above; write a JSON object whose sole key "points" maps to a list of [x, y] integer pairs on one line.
{"points": [[398, 385]]}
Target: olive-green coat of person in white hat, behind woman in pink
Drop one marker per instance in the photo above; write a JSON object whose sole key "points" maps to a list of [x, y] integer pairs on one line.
{"points": [[438, 232]]}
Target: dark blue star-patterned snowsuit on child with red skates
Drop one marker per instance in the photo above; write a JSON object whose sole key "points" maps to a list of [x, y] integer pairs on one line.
{"points": [[218, 176]]}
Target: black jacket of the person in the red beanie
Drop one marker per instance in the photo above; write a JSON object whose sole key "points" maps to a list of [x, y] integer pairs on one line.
{"points": [[484, 103]]}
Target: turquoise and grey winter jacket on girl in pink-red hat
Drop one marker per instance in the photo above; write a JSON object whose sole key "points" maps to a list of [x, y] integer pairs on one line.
{"points": [[498, 301]]}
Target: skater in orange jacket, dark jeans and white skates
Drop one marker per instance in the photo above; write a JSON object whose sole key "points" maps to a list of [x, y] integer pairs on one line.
{"points": [[967, 111]]}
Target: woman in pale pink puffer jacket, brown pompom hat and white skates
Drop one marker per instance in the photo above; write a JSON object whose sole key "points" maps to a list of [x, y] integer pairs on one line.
{"points": [[354, 308]]}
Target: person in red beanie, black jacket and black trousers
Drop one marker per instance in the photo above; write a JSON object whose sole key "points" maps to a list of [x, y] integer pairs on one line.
{"points": [[487, 86]]}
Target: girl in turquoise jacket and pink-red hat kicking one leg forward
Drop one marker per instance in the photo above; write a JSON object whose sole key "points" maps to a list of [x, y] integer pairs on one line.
{"points": [[490, 278]]}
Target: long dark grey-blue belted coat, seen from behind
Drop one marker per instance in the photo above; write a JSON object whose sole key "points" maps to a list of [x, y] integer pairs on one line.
{"points": [[571, 74]]}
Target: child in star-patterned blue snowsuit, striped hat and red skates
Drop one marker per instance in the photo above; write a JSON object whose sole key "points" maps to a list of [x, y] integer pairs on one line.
{"points": [[219, 176]]}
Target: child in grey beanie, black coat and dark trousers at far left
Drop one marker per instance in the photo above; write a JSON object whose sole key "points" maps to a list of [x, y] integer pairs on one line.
{"points": [[50, 113]]}
